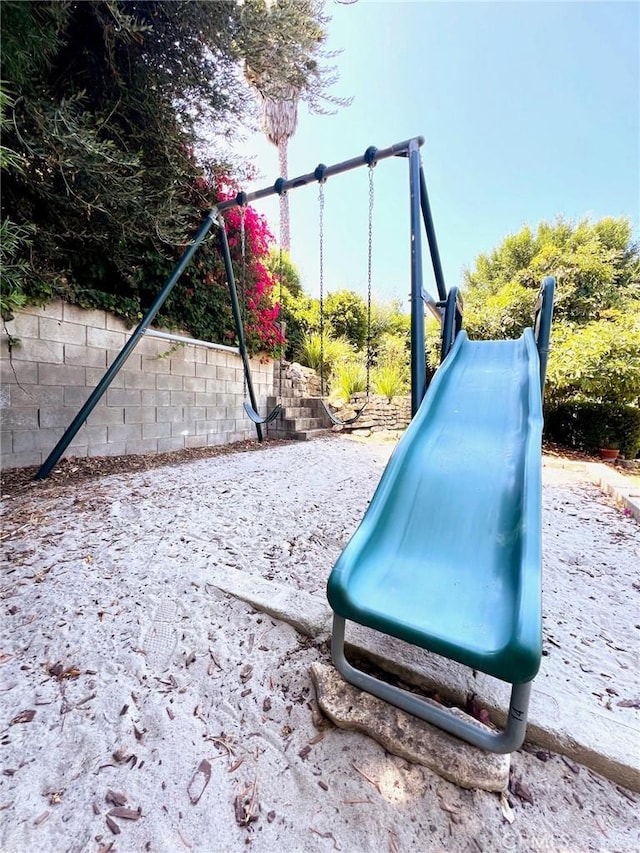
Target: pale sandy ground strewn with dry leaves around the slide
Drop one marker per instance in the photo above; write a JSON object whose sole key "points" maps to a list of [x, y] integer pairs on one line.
{"points": [[142, 709]]}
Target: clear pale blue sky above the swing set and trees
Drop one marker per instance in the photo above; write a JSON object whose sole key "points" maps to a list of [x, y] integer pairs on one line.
{"points": [[529, 110]]}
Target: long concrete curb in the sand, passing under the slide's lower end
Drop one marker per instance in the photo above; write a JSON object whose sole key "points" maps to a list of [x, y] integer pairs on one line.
{"points": [[558, 721]]}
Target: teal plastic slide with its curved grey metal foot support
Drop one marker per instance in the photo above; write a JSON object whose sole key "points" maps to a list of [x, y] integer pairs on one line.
{"points": [[448, 554]]}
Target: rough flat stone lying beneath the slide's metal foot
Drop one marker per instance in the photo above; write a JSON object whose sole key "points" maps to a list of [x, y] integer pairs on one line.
{"points": [[406, 736]]}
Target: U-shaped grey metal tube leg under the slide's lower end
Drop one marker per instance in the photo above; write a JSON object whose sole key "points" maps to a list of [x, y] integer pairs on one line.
{"points": [[508, 740]]}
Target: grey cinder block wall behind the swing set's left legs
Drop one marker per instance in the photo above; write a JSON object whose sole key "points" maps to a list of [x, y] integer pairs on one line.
{"points": [[166, 397]]}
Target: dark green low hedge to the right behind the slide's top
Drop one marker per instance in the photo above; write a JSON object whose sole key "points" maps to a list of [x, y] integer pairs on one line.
{"points": [[590, 426]]}
